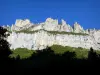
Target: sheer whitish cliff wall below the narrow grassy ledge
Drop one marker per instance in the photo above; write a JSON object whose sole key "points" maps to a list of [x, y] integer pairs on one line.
{"points": [[42, 39]]}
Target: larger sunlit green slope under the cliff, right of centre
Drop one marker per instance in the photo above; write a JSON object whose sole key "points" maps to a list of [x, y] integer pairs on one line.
{"points": [[80, 52]]}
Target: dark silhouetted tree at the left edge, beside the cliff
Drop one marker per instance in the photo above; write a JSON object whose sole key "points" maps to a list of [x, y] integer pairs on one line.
{"points": [[4, 45]]}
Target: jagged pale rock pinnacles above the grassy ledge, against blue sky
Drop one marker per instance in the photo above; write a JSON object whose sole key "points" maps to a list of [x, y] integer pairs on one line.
{"points": [[49, 25]]}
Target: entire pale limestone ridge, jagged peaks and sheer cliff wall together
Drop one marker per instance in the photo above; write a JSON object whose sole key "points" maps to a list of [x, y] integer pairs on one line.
{"points": [[42, 38]]}
